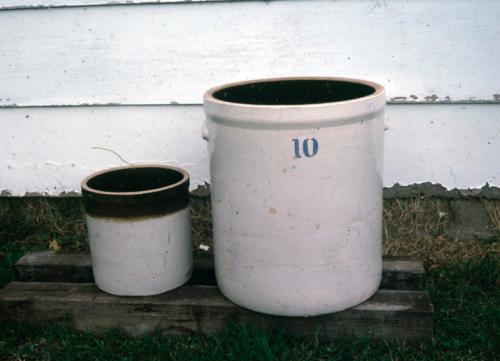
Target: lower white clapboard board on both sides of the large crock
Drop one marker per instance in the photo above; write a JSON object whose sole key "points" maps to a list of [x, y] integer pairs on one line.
{"points": [[49, 150]]}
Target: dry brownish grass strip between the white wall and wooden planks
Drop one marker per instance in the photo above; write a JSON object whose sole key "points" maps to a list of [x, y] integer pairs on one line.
{"points": [[411, 227]]}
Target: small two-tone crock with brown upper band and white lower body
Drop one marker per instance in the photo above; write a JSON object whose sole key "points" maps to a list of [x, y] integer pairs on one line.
{"points": [[144, 250]]}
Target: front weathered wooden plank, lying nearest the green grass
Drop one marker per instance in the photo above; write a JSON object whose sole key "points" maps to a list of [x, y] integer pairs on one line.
{"points": [[402, 315]]}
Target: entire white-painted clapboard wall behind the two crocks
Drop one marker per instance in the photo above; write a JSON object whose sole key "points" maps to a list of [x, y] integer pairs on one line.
{"points": [[85, 82]]}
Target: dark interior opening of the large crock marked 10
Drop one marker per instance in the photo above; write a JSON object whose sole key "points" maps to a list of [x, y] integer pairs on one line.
{"points": [[293, 92]]}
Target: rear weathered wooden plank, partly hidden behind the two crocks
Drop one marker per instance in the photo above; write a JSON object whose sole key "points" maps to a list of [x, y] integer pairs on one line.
{"points": [[400, 273]]}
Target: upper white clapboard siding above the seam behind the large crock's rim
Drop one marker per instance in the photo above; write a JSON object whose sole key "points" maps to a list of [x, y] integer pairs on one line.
{"points": [[423, 51]]}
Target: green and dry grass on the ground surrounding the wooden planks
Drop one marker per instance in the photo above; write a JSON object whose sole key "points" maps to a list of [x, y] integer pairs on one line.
{"points": [[463, 280]]}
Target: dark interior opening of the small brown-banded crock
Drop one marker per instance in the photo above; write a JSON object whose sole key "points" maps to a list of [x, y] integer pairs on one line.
{"points": [[134, 179]]}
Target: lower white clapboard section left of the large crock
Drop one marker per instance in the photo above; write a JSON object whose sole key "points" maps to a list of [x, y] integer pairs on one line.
{"points": [[49, 150]]}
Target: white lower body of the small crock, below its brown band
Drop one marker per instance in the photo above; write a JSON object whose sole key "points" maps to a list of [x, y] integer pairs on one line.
{"points": [[142, 257]]}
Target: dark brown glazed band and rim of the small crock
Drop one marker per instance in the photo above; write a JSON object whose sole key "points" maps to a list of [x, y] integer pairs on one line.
{"points": [[149, 202]]}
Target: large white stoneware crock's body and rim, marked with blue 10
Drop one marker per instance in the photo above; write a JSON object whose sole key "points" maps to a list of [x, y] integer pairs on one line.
{"points": [[297, 201]]}
